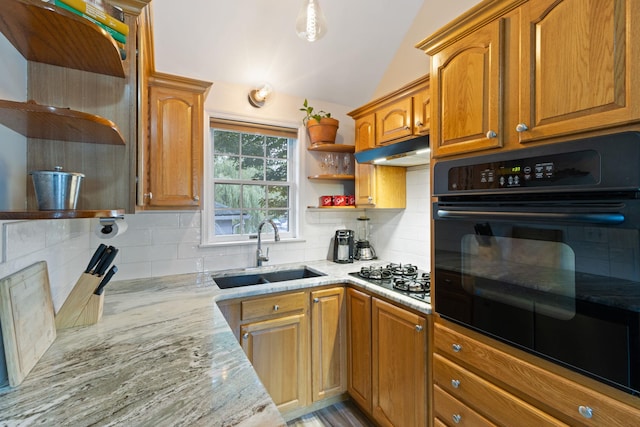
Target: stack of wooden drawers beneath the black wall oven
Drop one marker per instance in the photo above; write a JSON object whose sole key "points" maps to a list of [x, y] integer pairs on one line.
{"points": [[487, 377]]}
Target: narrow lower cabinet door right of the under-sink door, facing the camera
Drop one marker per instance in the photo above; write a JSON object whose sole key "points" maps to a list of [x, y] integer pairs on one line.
{"points": [[328, 343]]}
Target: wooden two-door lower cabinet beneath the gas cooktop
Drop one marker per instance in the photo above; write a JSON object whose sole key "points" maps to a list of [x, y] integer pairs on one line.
{"points": [[387, 360]]}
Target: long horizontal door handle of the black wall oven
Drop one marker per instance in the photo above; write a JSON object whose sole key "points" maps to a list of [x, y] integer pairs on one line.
{"points": [[587, 218]]}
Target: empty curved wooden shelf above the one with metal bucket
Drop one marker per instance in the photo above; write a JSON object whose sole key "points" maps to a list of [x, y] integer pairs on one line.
{"points": [[43, 122]]}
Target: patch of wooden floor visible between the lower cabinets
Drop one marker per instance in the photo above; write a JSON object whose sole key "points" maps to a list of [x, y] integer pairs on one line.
{"points": [[342, 414]]}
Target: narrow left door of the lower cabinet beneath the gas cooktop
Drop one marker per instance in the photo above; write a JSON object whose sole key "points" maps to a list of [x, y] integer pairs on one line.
{"points": [[359, 348]]}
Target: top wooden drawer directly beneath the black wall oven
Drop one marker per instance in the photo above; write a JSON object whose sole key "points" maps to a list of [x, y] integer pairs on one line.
{"points": [[563, 398]]}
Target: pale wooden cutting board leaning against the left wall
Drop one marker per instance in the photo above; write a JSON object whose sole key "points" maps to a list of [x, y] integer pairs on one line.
{"points": [[26, 318]]}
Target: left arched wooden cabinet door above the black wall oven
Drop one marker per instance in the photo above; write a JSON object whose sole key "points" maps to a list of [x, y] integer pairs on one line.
{"points": [[466, 94]]}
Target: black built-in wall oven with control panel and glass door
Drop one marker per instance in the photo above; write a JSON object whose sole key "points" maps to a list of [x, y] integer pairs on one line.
{"points": [[540, 248]]}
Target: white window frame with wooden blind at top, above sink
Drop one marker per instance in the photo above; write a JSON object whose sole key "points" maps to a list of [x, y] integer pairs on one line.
{"points": [[250, 125]]}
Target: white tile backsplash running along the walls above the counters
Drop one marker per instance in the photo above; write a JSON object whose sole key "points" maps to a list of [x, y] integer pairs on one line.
{"points": [[163, 243]]}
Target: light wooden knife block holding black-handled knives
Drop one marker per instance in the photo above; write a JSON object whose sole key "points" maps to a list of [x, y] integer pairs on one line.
{"points": [[82, 307]]}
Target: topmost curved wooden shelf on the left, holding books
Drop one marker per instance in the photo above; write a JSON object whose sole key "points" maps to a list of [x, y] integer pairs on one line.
{"points": [[42, 32]]}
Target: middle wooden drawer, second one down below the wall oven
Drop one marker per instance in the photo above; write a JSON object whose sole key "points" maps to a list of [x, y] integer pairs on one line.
{"points": [[501, 406]]}
